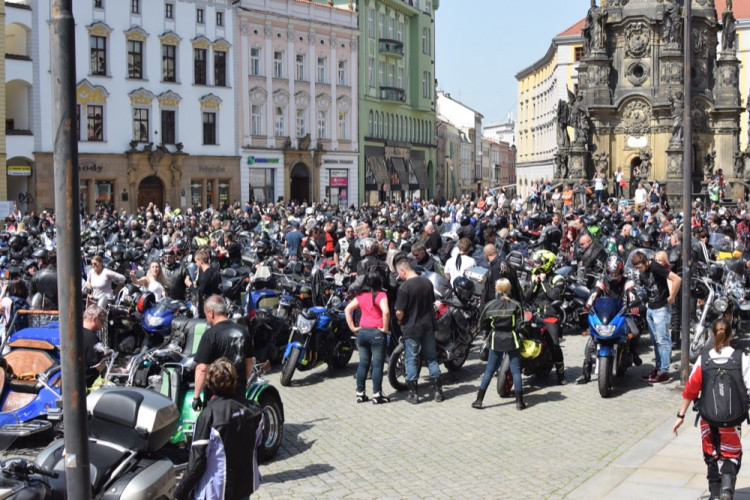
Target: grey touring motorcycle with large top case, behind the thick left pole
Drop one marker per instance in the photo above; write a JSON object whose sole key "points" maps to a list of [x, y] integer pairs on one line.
{"points": [[127, 426]]}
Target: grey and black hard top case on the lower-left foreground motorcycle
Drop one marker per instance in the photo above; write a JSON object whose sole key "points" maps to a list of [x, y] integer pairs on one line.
{"points": [[139, 419]]}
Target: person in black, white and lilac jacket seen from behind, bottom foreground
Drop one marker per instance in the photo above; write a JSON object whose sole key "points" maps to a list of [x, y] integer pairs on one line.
{"points": [[223, 456]]}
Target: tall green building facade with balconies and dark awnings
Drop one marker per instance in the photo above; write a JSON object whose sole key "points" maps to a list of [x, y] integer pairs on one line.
{"points": [[397, 99]]}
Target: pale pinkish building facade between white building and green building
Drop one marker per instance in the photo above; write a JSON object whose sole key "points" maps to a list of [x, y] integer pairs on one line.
{"points": [[297, 101]]}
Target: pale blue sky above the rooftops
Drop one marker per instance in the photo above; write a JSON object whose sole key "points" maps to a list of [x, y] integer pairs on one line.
{"points": [[480, 45]]}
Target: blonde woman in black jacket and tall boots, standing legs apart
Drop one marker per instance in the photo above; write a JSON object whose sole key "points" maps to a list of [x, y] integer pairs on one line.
{"points": [[501, 317]]}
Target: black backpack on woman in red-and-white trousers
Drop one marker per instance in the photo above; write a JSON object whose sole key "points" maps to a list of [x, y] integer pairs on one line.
{"points": [[724, 401]]}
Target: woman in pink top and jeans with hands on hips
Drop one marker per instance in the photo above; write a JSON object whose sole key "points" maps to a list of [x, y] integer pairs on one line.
{"points": [[372, 335]]}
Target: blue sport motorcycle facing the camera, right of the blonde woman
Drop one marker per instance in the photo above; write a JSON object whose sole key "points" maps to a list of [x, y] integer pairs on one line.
{"points": [[612, 334]]}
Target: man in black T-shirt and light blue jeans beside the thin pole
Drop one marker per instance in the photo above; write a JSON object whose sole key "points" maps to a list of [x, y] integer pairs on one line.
{"points": [[655, 277]]}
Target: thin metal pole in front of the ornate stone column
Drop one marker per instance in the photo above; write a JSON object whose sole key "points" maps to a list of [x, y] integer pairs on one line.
{"points": [[687, 157]]}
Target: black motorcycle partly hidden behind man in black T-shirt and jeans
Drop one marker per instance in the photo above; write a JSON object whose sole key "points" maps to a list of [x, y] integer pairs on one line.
{"points": [[457, 328]]}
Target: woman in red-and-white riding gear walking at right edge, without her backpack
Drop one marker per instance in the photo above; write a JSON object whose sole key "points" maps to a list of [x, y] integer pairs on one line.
{"points": [[729, 452]]}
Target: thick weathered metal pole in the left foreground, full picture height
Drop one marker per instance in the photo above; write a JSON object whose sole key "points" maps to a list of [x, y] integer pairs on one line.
{"points": [[69, 249]]}
